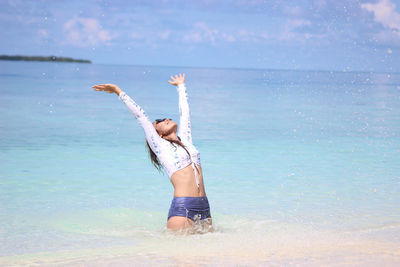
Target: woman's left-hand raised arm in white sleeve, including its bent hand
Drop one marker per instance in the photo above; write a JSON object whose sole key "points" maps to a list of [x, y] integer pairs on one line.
{"points": [[152, 136]]}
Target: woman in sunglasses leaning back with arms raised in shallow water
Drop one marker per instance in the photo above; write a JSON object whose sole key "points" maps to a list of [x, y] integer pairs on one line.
{"points": [[173, 150]]}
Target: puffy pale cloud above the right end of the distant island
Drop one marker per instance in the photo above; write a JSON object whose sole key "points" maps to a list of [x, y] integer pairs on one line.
{"points": [[84, 32]]}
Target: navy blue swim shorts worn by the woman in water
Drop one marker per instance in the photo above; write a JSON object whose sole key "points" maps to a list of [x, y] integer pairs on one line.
{"points": [[190, 207]]}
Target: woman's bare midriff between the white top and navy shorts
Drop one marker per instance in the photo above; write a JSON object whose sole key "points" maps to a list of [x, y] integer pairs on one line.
{"points": [[184, 182]]}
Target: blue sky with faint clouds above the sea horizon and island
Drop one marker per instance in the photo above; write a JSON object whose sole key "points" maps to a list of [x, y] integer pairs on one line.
{"points": [[315, 34]]}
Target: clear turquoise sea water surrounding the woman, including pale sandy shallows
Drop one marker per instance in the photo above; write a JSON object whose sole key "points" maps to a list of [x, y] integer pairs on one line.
{"points": [[295, 163]]}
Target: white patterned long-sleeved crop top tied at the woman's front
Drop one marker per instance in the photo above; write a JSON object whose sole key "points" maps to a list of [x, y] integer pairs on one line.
{"points": [[172, 157]]}
